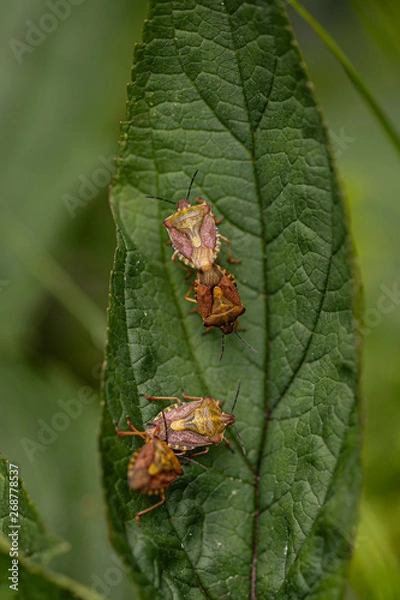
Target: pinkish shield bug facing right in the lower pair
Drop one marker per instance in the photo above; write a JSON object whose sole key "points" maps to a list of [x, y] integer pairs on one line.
{"points": [[189, 425]]}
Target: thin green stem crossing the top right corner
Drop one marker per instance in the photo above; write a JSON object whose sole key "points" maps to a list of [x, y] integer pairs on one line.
{"points": [[351, 72]]}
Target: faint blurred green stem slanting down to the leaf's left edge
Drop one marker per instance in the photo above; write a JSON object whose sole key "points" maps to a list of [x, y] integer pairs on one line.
{"points": [[49, 273]]}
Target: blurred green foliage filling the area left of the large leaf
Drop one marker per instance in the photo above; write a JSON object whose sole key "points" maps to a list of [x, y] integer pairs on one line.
{"points": [[60, 105]]}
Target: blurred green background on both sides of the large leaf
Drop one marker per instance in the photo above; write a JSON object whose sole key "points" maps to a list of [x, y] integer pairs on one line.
{"points": [[62, 96]]}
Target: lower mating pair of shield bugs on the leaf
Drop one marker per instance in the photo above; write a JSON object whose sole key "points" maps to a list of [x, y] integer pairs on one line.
{"points": [[185, 426]]}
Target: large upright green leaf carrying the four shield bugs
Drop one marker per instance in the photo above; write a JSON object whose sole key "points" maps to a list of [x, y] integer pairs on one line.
{"points": [[221, 87]]}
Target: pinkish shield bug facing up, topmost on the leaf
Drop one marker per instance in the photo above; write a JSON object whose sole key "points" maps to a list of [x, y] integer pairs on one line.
{"points": [[194, 233]]}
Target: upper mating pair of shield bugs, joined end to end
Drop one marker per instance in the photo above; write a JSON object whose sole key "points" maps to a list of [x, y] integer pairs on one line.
{"points": [[196, 241]]}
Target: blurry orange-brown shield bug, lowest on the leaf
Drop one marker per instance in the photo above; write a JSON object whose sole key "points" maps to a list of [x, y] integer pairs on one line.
{"points": [[153, 468]]}
